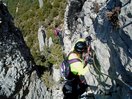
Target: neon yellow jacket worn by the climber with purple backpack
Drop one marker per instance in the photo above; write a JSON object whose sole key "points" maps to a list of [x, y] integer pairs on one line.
{"points": [[77, 68]]}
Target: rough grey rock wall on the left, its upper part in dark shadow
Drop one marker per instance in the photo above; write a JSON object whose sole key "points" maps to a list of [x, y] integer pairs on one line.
{"points": [[18, 76]]}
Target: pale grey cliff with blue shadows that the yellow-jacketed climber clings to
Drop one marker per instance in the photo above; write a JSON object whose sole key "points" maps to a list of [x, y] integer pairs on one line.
{"points": [[112, 77]]}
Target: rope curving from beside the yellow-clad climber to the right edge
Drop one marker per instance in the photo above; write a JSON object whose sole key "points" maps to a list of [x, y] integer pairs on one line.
{"points": [[94, 64]]}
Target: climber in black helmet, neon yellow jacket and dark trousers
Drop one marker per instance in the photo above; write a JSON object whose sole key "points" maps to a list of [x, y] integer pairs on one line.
{"points": [[76, 83]]}
